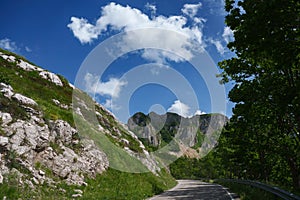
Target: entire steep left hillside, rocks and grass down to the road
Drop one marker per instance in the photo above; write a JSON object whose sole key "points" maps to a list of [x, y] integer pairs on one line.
{"points": [[57, 143]]}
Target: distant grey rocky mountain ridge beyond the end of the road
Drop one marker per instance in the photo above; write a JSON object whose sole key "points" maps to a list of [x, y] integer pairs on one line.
{"points": [[194, 135]]}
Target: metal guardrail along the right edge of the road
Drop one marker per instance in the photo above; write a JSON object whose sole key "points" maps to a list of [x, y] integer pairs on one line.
{"points": [[274, 190]]}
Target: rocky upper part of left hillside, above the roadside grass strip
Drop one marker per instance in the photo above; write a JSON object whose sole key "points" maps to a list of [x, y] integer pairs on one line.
{"points": [[40, 142]]}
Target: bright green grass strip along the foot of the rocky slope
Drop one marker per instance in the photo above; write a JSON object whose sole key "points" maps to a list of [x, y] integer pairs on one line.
{"points": [[112, 184]]}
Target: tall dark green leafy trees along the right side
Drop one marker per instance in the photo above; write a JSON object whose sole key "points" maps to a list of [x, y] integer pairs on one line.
{"points": [[265, 127]]}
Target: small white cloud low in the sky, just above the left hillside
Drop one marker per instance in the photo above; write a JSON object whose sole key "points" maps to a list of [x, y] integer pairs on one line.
{"points": [[110, 88]]}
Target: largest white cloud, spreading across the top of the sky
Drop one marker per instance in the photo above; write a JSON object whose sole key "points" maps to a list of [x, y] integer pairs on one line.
{"points": [[120, 18]]}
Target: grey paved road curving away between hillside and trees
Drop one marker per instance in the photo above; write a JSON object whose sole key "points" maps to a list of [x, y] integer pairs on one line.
{"points": [[194, 189]]}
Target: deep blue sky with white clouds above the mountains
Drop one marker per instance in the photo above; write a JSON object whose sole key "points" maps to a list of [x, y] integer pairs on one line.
{"points": [[59, 36]]}
